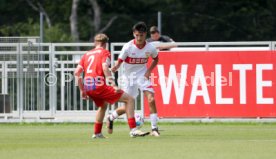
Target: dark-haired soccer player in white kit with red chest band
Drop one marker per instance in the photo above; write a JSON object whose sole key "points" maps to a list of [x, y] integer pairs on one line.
{"points": [[134, 56]]}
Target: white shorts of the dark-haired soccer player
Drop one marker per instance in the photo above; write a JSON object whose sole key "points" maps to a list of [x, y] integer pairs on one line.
{"points": [[131, 86]]}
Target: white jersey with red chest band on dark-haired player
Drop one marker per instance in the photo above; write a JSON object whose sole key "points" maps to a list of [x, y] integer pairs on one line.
{"points": [[135, 58]]}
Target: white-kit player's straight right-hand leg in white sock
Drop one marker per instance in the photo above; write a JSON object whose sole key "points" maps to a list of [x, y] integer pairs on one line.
{"points": [[153, 112]]}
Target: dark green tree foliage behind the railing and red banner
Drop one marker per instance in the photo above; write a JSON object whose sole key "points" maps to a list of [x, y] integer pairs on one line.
{"points": [[183, 20]]}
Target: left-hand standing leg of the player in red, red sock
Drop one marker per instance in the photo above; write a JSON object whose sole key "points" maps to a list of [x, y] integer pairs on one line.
{"points": [[99, 121]]}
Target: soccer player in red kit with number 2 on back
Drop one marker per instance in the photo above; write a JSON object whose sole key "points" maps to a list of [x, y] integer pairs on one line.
{"points": [[95, 65]]}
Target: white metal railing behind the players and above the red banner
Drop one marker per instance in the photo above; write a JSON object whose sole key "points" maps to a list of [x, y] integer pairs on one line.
{"points": [[37, 78]]}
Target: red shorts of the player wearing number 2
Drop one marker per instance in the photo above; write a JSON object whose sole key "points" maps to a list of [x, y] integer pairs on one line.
{"points": [[104, 94]]}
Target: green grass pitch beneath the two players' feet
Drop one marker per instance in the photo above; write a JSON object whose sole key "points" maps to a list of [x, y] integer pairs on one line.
{"points": [[178, 141]]}
